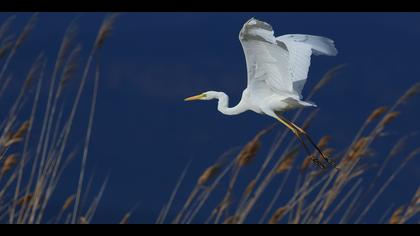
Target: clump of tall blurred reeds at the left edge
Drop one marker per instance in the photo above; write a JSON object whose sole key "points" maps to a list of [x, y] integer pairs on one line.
{"points": [[32, 163]]}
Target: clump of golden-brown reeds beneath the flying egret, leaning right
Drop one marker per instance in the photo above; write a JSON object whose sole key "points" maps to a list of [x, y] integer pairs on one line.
{"points": [[343, 195]]}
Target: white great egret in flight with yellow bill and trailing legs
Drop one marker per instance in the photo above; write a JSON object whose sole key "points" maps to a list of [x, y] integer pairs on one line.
{"points": [[277, 71]]}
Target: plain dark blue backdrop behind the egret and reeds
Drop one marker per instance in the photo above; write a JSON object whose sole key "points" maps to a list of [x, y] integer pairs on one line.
{"points": [[144, 134]]}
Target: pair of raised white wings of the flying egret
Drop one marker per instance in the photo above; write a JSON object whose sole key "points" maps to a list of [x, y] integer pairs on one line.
{"points": [[280, 63]]}
